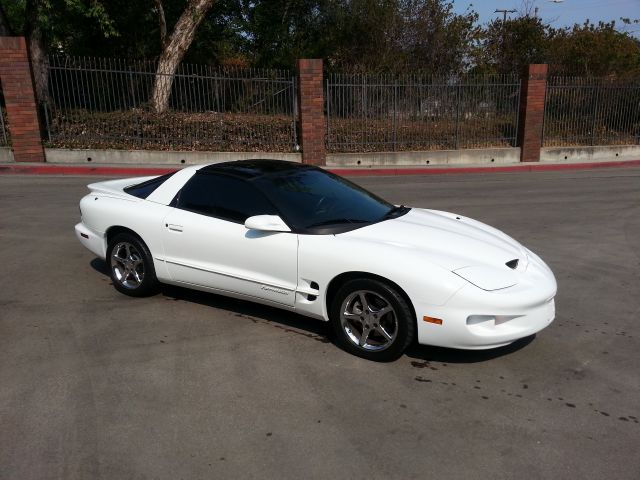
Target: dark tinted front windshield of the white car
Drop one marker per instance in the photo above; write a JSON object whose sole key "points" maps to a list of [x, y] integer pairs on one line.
{"points": [[310, 199]]}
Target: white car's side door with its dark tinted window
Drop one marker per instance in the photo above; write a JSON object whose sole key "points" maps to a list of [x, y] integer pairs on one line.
{"points": [[206, 243]]}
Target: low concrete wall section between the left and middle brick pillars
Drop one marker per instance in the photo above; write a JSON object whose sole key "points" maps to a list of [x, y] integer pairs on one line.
{"points": [[156, 157]]}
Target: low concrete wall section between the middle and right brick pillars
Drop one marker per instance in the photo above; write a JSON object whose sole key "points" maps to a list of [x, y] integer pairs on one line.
{"points": [[484, 156]]}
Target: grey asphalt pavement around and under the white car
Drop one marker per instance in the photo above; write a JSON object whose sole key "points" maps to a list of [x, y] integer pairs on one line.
{"points": [[190, 385]]}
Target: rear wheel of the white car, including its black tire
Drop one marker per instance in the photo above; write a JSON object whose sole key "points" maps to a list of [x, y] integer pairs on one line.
{"points": [[135, 274]]}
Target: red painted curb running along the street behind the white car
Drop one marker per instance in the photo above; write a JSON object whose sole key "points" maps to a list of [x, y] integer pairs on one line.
{"points": [[354, 172]]}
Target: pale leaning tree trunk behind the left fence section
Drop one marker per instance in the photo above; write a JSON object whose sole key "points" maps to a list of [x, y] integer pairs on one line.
{"points": [[173, 51]]}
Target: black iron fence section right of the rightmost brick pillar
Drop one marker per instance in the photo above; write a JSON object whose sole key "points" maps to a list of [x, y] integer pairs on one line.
{"points": [[591, 111]]}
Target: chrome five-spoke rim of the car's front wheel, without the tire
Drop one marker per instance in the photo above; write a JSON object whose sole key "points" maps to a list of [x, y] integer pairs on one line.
{"points": [[369, 320]]}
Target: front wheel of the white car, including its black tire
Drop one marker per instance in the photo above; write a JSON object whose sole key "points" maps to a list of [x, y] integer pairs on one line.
{"points": [[350, 328]]}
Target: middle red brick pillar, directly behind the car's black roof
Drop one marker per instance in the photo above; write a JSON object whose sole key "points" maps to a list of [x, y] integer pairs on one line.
{"points": [[311, 111]]}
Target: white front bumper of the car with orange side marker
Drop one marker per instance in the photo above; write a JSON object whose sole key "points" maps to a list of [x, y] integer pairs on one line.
{"points": [[528, 307]]}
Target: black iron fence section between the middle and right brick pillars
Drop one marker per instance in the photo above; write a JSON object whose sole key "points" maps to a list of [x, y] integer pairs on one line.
{"points": [[389, 113]]}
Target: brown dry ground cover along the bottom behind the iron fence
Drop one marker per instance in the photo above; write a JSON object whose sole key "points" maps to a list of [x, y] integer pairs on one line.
{"points": [[210, 131]]}
